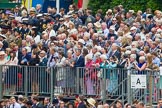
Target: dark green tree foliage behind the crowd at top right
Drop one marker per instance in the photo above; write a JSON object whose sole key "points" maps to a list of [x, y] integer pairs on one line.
{"points": [[128, 4]]}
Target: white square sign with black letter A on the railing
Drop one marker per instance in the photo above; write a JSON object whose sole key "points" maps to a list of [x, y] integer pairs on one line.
{"points": [[138, 81]]}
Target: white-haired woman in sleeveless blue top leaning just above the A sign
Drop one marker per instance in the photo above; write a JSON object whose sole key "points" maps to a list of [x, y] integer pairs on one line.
{"points": [[141, 65]]}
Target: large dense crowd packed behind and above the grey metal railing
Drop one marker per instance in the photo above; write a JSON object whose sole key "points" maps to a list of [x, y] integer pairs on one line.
{"points": [[115, 39]]}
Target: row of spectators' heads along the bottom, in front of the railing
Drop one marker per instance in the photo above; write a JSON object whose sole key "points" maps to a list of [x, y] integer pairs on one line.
{"points": [[59, 102]]}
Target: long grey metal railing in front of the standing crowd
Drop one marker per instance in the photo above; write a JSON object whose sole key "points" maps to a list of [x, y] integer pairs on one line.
{"points": [[101, 83]]}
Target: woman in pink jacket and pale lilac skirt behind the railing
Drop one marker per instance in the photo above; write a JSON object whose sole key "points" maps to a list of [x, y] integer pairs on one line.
{"points": [[89, 71]]}
